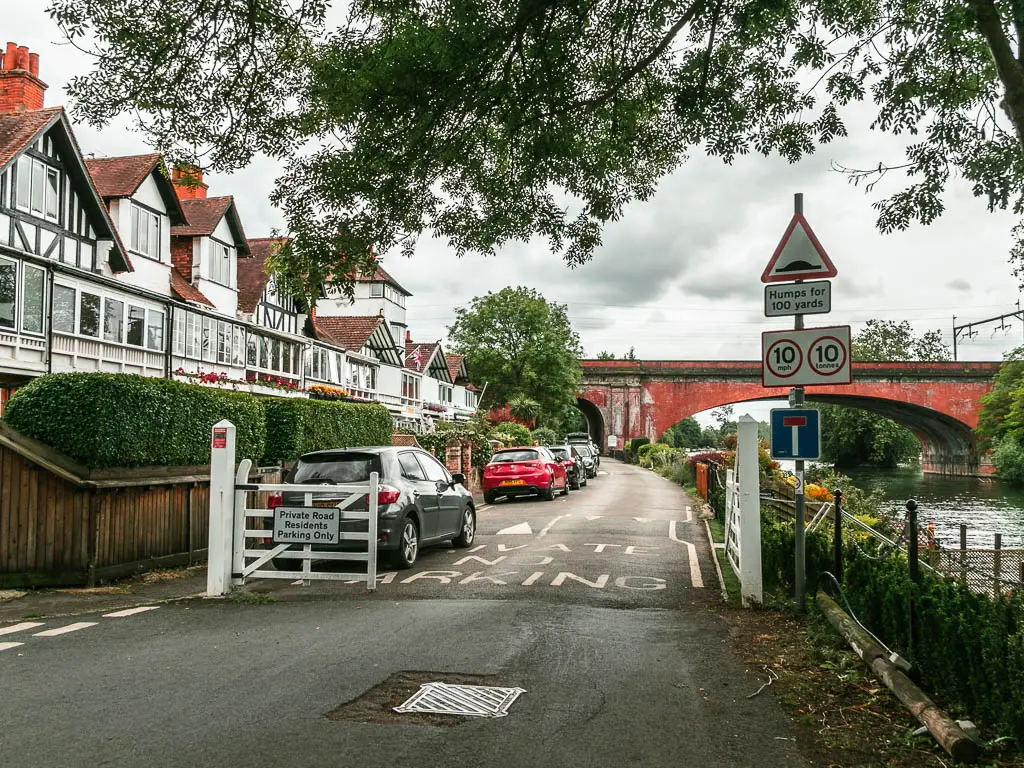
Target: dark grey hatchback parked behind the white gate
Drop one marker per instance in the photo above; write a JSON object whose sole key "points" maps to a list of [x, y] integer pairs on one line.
{"points": [[420, 503]]}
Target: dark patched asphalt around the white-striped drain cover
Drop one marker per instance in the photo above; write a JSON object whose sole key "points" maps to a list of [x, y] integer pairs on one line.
{"points": [[377, 705]]}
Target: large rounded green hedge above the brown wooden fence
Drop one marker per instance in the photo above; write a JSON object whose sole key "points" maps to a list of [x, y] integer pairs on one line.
{"points": [[118, 420]]}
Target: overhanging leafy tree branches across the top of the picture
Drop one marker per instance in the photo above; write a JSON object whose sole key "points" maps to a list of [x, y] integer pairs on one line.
{"points": [[491, 122]]}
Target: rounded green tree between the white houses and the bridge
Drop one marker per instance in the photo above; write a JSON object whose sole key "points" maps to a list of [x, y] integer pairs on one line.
{"points": [[524, 348]]}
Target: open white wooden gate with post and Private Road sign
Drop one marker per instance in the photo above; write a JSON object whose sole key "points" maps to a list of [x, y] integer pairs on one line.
{"points": [[236, 528]]}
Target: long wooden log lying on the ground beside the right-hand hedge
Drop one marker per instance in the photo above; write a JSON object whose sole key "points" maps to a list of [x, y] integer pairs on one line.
{"points": [[950, 736]]}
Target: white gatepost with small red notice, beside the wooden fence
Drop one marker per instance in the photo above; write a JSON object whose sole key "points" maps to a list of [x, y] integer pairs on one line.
{"points": [[219, 574]]}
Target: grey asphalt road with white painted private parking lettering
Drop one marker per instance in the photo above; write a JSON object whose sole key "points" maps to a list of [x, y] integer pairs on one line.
{"points": [[596, 606]]}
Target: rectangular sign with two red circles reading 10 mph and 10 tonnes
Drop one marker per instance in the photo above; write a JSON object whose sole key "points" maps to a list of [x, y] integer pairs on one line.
{"points": [[797, 359]]}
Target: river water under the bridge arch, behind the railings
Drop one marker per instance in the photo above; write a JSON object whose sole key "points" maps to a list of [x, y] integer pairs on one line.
{"points": [[987, 506]]}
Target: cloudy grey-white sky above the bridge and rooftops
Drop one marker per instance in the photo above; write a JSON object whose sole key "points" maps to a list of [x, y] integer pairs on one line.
{"points": [[678, 277]]}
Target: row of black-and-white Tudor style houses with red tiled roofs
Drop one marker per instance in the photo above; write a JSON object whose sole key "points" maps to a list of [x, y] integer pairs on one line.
{"points": [[117, 265]]}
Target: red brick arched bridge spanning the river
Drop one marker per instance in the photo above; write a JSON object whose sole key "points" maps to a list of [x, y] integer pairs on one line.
{"points": [[938, 402]]}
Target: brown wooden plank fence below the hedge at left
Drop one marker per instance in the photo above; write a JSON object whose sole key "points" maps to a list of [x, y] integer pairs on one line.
{"points": [[64, 525]]}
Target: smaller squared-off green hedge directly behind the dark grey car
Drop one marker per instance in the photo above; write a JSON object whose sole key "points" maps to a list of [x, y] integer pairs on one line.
{"points": [[297, 426]]}
